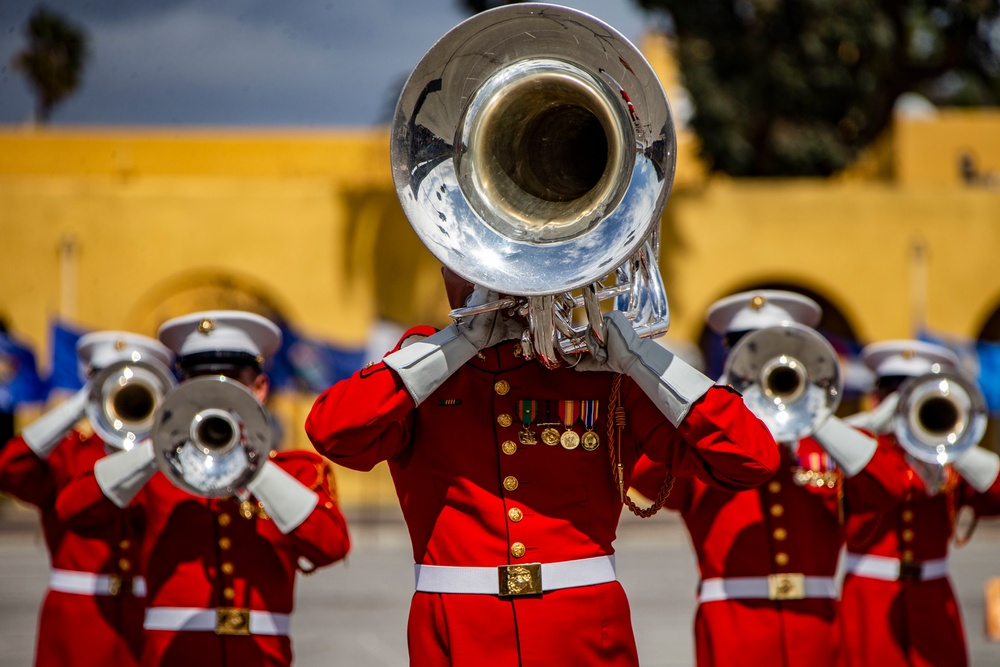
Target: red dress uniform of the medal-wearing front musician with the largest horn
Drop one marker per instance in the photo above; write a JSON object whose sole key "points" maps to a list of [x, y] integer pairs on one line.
{"points": [[473, 495]]}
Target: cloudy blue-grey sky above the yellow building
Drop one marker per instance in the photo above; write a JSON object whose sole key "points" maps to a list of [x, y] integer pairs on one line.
{"points": [[247, 62]]}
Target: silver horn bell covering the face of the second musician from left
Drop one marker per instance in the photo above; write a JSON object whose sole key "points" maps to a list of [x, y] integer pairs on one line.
{"points": [[211, 436]]}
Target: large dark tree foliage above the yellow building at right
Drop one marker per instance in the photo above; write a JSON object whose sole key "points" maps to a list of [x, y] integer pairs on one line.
{"points": [[799, 87]]}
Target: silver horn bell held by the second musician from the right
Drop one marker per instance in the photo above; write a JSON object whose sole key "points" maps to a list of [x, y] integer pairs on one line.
{"points": [[790, 377]]}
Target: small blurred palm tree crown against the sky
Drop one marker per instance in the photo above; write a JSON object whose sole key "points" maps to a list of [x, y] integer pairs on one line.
{"points": [[53, 60]]}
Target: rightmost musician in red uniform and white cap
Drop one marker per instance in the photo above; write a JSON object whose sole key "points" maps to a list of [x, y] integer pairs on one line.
{"points": [[899, 608]]}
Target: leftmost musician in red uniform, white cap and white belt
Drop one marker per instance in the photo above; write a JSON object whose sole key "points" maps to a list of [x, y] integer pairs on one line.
{"points": [[96, 593]]}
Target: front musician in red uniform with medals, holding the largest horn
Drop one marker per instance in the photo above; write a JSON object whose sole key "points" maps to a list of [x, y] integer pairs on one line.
{"points": [[503, 470]]}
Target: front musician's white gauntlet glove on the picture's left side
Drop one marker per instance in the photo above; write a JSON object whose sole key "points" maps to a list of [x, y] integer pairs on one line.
{"points": [[423, 366]]}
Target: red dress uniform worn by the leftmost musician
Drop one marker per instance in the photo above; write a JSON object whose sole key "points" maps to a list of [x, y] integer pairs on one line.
{"points": [[77, 629]]}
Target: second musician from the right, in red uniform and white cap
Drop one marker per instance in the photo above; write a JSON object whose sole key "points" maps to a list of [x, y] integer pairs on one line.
{"points": [[768, 556]]}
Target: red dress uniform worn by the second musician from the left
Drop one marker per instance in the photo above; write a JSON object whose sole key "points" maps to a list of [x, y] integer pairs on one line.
{"points": [[210, 553]]}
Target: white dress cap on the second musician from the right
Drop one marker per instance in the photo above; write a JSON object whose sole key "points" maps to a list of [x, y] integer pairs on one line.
{"points": [[749, 311]]}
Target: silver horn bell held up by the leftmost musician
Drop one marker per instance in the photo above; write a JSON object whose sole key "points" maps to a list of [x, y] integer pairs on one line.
{"points": [[124, 398]]}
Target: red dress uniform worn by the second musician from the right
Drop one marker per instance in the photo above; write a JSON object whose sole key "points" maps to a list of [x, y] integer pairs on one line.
{"points": [[790, 525]]}
